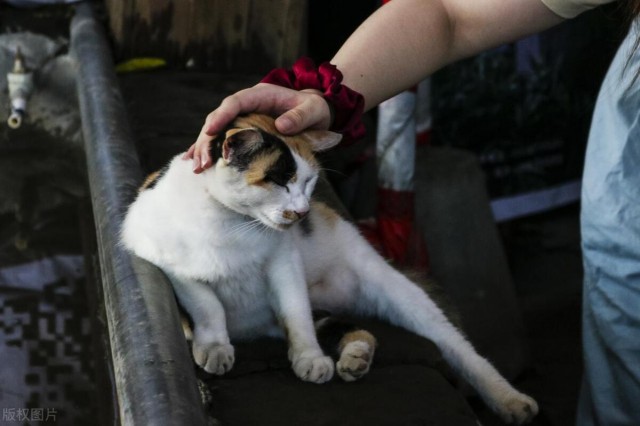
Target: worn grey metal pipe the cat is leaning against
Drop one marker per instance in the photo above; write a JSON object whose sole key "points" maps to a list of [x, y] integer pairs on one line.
{"points": [[154, 375]]}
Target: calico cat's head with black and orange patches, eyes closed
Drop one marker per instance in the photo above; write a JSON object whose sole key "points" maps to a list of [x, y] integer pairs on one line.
{"points": [[264, 174]]}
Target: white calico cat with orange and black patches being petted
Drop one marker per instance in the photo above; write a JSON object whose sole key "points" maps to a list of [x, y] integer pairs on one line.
{"points": [[250, 253]]}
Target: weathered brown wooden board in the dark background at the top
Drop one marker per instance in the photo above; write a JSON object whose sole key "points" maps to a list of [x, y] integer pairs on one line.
{"points": [[218, 35]]}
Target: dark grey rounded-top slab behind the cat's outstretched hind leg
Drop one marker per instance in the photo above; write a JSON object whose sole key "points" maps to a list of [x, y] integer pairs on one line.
{"points": [[466, 255]]}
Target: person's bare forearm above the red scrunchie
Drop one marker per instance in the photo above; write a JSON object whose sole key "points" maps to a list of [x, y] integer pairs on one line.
{"points": [[406, 40]]}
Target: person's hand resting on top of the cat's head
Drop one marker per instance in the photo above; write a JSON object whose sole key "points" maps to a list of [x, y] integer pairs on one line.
{"points": [[295, 111]]}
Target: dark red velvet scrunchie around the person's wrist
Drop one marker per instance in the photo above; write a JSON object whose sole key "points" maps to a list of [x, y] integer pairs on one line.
{"points": [[348, 105]]}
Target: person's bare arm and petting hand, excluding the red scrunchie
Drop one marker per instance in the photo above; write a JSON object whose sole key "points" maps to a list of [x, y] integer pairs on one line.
{"points": [[397, 46]]}
